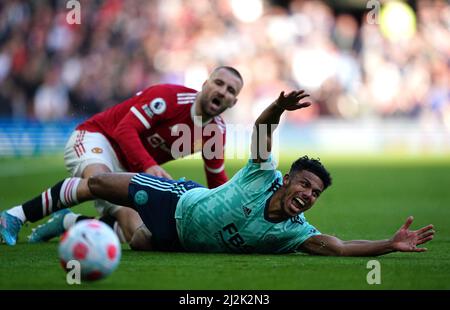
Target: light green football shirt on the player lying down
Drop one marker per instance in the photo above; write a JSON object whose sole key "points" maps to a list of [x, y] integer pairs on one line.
{"points": [[233, 217]]}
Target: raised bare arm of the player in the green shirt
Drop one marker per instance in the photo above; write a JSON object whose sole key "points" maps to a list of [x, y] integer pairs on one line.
{"points": [[267, 122]]}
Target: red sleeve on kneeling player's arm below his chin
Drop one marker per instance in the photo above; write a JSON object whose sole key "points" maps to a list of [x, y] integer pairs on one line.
{"points": [[213, 154]]}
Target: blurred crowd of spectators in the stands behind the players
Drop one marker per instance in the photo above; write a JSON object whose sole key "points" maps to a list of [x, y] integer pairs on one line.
{"points": [[365, 63]]}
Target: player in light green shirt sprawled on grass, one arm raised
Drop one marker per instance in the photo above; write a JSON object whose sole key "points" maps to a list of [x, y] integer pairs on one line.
{"points": [[258, 210]]}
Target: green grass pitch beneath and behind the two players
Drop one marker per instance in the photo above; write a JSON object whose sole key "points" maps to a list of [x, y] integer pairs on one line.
{"points": [[370, 199]]}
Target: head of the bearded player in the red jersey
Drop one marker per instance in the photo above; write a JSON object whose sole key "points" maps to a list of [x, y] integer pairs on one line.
{"points": [[219, 92]]}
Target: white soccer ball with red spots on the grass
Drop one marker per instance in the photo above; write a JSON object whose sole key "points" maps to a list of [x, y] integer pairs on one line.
{"points": [[94, 246]]}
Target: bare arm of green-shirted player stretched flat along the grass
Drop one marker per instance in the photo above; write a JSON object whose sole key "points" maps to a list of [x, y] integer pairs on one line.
{"points": [[404, 240]]}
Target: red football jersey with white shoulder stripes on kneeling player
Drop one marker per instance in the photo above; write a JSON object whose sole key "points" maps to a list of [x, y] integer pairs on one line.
{"points": [[156, 126]]}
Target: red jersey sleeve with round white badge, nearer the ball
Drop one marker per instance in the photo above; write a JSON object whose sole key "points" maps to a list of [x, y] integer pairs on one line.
{"points": [[148, 109]]}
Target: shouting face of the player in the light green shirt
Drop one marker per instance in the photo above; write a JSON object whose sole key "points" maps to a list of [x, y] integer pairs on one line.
{"points": [[302, 190]]}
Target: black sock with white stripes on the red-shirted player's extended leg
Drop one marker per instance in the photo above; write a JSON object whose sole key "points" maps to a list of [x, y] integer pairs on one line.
{"points": [[61, 195]]}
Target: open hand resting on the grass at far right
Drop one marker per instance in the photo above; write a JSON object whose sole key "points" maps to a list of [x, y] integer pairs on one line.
{"points": [[406, 240]]}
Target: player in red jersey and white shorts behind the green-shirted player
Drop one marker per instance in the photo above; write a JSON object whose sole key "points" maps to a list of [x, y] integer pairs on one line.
{"points": [[136, 135]]}
